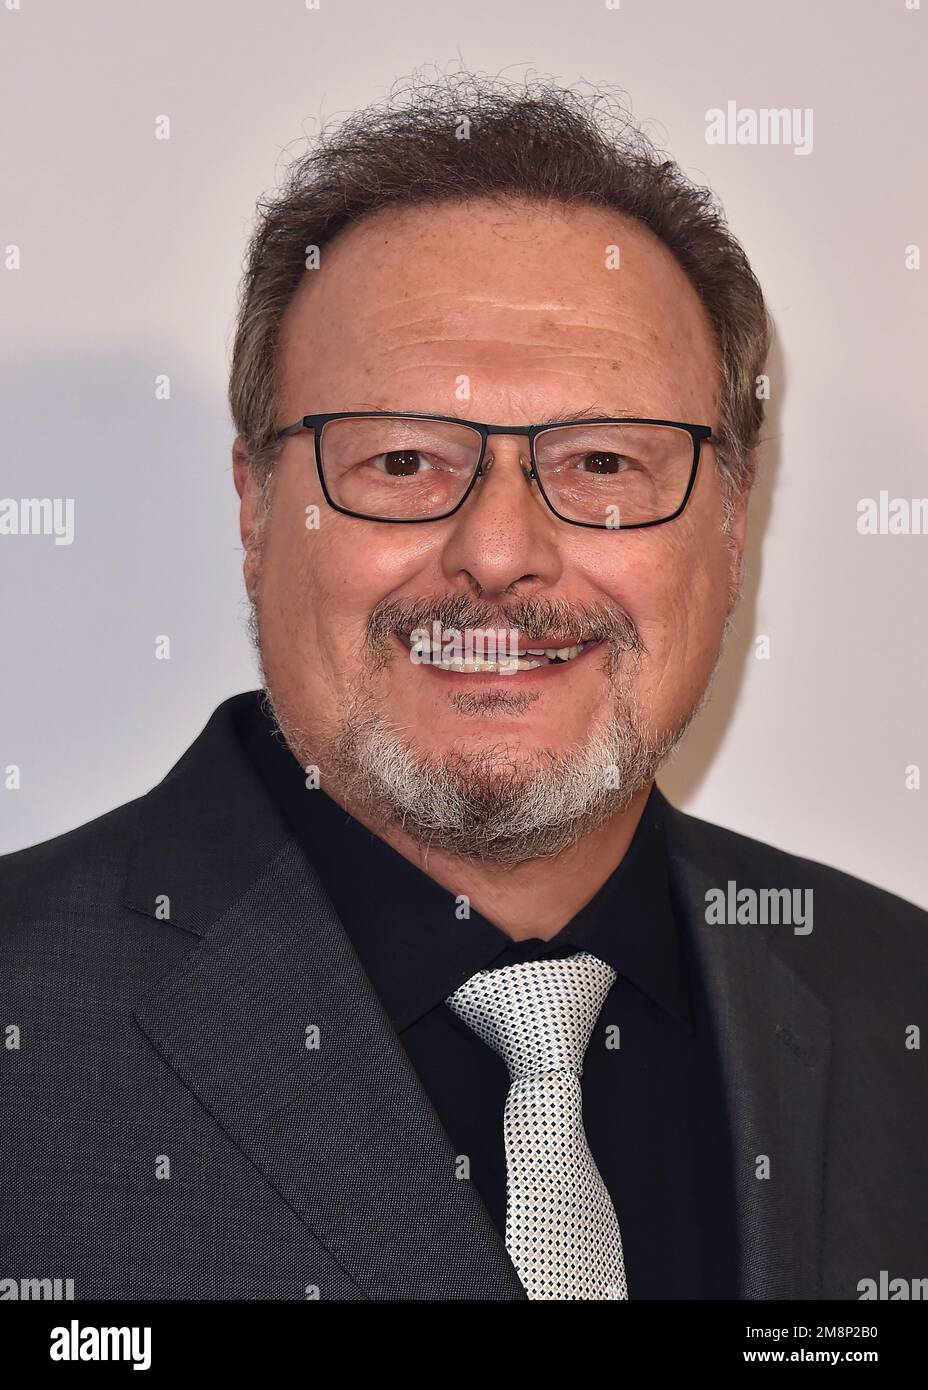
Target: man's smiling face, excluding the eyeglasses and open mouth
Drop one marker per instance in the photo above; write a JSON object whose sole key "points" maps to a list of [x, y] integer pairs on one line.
{"points": [[517, 304]]}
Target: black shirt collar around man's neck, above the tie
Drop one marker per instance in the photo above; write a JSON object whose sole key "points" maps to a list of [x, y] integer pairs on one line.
{"points": [[408, 929]]}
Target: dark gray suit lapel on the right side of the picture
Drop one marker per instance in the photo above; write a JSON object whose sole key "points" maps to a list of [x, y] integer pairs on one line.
{"points": [[774, 1047]]}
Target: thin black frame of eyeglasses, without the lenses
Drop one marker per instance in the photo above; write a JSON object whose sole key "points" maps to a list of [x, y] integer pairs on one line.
{"points": [[698, 434]]}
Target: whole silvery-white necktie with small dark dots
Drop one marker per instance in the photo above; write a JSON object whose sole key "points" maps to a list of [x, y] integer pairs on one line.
{"points": [[562, 1231]]}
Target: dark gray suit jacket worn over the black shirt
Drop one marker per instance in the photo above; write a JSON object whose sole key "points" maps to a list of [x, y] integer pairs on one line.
{"points": [[167, 1134]]}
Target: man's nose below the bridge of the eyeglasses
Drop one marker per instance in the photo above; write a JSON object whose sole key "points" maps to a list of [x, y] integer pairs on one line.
{"points": [[505, 537]]}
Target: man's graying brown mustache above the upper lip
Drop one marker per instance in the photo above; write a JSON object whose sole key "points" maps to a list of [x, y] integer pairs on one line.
{"points": [[534, 618]]}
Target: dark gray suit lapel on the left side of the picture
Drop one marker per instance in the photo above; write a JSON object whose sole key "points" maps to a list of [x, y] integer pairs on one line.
{"points": [[342, 1129]]}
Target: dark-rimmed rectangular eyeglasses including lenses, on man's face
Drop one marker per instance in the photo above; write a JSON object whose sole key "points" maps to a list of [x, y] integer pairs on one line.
{"points": [[605, 473]]}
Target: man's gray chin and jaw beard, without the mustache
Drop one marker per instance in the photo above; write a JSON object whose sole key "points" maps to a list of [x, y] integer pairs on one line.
{"points": [[492, 804]]}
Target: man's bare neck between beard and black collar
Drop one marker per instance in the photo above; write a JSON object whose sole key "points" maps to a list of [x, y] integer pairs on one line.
{"points": [[536, 899]]}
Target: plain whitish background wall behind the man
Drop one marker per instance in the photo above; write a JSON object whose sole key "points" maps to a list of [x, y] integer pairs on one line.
{"points": [[131, 254]]}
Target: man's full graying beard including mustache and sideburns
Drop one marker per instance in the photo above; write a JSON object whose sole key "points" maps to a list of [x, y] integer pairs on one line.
{"points": [[491, 804]]}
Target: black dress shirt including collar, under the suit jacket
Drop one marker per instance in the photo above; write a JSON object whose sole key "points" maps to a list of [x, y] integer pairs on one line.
{"points": [[654, 1107]]}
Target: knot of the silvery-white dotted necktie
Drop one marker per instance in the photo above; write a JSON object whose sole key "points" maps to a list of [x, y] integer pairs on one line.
{"points": [[538, 1015]]}
